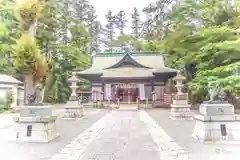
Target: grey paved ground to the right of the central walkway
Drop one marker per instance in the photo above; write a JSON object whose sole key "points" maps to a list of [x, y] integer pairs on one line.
{"points": [[181, 133]]}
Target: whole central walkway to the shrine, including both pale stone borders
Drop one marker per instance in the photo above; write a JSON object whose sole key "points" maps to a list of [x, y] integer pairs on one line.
{"points": [[122, 135]]}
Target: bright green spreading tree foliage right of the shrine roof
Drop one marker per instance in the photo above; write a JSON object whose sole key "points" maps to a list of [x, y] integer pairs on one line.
{"points": [[202, 40]]}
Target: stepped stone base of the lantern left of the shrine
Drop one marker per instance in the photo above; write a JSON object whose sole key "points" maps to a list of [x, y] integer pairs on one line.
{"points": [[73, 111]]}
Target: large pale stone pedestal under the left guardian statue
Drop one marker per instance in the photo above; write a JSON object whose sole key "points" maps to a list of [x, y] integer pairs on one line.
{"points": [[35, 124]]}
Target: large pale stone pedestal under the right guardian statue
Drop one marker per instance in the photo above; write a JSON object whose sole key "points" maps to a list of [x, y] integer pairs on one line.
{"points": [[217, 123]]}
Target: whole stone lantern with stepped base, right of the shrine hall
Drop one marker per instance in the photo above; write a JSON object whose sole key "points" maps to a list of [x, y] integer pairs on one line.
{"points": [[180, 109]]}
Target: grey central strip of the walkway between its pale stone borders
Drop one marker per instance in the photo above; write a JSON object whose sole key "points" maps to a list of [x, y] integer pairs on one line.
{"points": [[126, 138]]}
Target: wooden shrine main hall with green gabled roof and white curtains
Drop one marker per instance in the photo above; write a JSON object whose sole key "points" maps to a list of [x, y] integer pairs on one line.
{"points": [[128, 75]]}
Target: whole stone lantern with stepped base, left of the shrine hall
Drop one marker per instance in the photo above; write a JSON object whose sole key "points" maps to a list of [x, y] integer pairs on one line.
{"points": [[73, 110]]}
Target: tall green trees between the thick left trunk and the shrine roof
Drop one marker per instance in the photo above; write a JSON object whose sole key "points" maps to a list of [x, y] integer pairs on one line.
{"points": [[70, 54]]}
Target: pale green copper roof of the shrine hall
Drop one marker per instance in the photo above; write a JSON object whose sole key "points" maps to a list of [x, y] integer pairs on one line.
{"points": [[101, 61]]}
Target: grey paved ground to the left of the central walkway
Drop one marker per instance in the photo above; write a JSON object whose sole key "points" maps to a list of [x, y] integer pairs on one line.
{"points": [[31, 151]]}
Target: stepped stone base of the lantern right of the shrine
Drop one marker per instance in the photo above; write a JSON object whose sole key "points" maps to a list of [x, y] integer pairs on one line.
{"points": [[180, 110]]}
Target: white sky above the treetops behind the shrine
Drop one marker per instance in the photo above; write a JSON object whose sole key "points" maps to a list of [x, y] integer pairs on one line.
{"points": [[103, 6]]}
